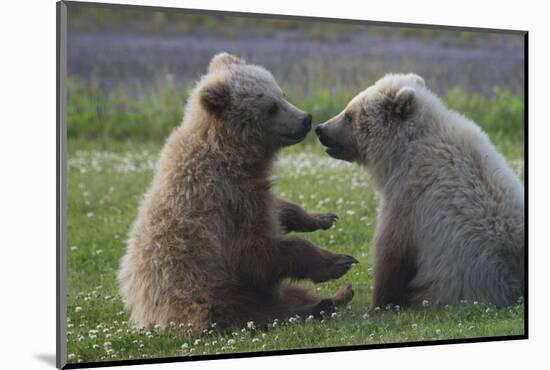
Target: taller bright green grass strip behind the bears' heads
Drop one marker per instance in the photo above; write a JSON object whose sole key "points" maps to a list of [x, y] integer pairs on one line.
{"points": [[133, 112]]}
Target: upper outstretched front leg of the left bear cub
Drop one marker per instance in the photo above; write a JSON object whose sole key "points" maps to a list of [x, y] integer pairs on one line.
{"points": [[294, 218]]}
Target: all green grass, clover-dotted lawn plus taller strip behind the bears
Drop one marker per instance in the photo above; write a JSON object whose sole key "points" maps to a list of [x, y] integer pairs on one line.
{"points": [[114, 140]]}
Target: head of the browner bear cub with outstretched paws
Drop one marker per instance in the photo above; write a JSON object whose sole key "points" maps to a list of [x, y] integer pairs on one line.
{"points": [[248, 105]]}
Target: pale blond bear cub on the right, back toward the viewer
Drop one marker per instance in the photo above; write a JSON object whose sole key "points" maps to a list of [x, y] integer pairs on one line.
{"points": [[451, 218]]}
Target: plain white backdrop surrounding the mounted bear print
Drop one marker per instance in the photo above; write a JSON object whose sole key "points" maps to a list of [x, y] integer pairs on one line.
{"points": [[28, 182]]}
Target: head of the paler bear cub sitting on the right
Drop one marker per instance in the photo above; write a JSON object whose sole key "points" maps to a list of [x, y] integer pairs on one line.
{"points": [[375, 122]]}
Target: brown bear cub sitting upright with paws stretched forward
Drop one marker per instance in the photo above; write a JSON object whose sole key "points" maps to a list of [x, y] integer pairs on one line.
{"points": [[209, 244]]}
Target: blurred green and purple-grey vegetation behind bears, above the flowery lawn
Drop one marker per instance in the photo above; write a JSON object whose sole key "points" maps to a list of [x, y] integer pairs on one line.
{"points": [[131, 69]]}
